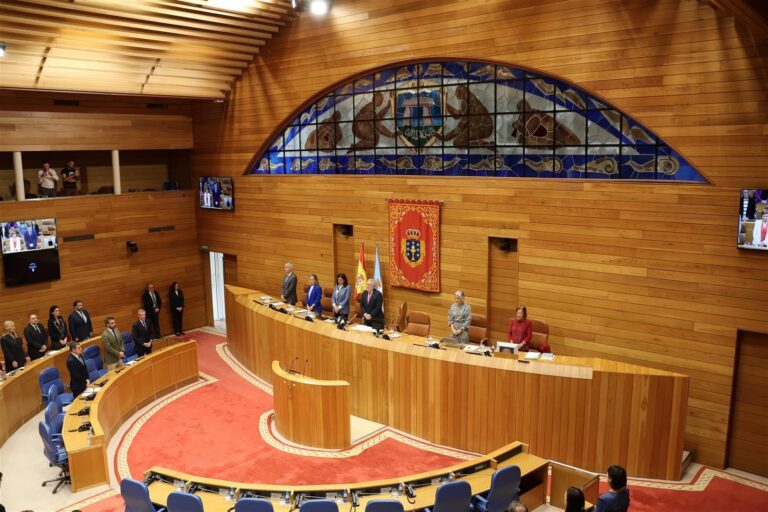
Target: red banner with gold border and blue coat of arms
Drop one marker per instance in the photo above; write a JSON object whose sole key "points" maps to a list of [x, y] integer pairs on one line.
{"points": [[414, 244]]}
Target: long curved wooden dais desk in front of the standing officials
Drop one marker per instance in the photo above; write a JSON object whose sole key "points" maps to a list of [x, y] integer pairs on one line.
{"points": [[585, 412]]}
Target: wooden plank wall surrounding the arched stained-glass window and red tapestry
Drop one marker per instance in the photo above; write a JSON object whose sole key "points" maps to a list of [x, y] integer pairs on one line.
{"points": [[644, 273]]}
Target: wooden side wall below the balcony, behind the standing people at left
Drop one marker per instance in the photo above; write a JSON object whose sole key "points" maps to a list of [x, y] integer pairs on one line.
{"points": [[101, 272]]}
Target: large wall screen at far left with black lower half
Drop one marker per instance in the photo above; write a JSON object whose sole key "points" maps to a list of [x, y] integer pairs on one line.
{"points": [[30, 251]]}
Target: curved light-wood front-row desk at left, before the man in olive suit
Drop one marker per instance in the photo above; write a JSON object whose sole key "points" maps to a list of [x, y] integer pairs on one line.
{"points": [[127, 389]]}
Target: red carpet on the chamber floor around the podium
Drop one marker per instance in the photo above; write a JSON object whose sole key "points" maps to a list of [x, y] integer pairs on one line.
{"points": [[213, 432]]}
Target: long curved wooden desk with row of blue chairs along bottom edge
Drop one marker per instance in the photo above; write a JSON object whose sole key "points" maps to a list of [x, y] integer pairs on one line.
{"points": [[477, 472]]}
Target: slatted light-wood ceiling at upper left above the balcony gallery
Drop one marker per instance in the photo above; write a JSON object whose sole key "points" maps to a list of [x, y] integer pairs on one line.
{"points": [[185, 48]]}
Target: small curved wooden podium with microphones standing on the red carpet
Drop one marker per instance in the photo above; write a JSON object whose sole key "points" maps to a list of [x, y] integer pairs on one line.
{"points": [[311, 412]]}
